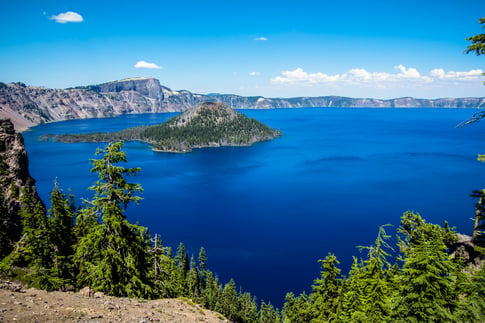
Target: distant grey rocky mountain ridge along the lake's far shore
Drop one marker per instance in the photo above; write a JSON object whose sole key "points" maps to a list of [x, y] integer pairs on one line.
{"points": [[28, 105]]}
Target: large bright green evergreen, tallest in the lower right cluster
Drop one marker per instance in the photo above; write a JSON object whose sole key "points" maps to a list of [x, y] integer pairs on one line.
{"points": [[426, 283]]}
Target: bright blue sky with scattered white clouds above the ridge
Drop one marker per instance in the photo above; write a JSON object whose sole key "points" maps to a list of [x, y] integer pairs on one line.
{"points": [[381, 49]]}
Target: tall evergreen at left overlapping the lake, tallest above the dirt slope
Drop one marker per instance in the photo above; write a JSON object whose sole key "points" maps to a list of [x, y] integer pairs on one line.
{"points": [[112, 256]]}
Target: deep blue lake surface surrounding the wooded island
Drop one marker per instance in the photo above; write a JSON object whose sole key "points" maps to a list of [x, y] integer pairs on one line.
{"points": [[265, 214]]}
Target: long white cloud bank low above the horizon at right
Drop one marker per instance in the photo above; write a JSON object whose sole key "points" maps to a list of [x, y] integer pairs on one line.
{"points": [[361, 77]]}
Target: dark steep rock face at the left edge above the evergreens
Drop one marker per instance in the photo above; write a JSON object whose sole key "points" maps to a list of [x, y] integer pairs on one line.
{"points": [[14, 179]]}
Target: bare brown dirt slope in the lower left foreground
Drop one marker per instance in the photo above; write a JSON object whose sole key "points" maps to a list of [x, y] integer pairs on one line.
{"points": [[32, 305]]}
